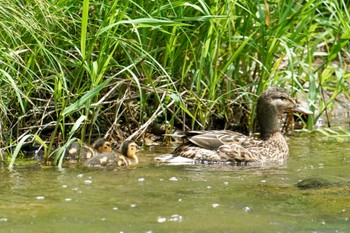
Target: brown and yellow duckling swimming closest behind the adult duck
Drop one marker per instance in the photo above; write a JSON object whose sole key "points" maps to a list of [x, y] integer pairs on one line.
{"points": [[127, 157]]}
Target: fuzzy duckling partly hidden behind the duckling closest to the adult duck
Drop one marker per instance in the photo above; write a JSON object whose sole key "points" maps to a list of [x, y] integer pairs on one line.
{"points": [[81, 151]]}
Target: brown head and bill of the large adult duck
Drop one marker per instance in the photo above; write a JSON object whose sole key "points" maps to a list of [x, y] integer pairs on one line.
{"points": [[277, 101]]}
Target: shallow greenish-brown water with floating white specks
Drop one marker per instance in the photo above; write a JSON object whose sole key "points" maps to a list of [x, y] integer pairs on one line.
{"points": [[198, 198]]}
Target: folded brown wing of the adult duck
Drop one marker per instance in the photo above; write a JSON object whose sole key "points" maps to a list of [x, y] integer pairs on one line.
{"points": [[213, 139]]}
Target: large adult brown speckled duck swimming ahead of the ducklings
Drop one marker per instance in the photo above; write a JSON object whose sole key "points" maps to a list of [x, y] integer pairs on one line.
{"points": [[236, 148]]}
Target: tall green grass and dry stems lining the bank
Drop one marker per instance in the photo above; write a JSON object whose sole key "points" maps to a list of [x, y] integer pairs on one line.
{"points": [[80, 68]]}
